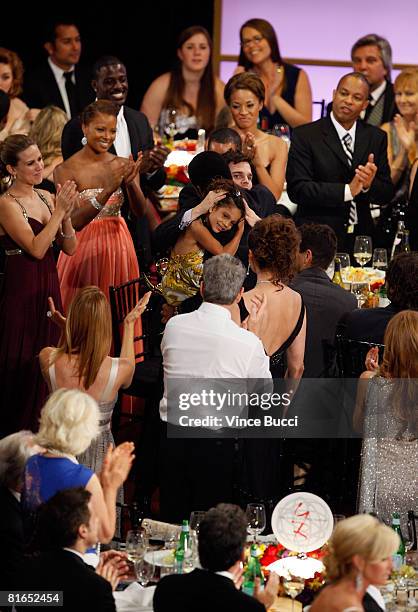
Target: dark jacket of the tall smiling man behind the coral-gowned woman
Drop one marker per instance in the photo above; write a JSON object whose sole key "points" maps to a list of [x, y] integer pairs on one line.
{"points": [[140, 134]]}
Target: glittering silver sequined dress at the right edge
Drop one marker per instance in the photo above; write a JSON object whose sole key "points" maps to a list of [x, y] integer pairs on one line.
{"points": [[389, 462]]}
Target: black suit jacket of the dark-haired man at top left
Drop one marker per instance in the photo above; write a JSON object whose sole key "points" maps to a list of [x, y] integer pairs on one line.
{"points": [[40, 87]]}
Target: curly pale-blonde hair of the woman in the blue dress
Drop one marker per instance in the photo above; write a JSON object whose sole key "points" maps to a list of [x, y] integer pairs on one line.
{"points": [[69, 422]]}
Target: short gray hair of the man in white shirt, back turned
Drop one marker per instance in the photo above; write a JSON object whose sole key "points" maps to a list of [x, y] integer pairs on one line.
{"points": [[223, 277]]}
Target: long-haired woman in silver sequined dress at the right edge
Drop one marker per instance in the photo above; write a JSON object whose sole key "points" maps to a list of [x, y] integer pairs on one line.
{"points": [[387, 409]]}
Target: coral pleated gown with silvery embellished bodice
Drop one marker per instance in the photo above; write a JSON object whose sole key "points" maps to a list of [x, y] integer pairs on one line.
{"points": [[105, 253]]}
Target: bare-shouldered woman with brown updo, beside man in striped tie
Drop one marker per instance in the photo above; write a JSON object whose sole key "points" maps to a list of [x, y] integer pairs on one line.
{"points": [[244, 95]]}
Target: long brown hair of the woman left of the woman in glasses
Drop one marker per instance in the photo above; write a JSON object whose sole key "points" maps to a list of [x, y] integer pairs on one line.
{"points": [[206, 101]]}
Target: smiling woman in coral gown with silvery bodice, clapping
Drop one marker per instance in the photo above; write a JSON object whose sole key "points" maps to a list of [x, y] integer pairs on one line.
{"points": [[106, 254]]}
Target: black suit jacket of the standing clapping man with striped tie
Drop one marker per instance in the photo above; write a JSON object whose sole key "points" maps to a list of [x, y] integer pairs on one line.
{"points": [[318, 170]]}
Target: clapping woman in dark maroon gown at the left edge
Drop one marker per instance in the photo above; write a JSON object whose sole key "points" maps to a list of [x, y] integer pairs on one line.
{"points": [[30, 220]]}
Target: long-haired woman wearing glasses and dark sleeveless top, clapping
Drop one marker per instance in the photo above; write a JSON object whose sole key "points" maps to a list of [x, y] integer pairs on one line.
{"points": [[288, 96]]}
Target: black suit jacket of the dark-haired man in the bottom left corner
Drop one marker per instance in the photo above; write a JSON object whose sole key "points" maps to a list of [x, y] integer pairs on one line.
{"points": [[65, 571]]}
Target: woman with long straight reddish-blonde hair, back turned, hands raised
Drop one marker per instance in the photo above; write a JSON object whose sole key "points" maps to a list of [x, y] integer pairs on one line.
{"points": [[82, 361]]}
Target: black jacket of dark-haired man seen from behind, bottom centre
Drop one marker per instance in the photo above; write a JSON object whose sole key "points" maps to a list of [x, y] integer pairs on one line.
{"points": [[204, 591]]}
